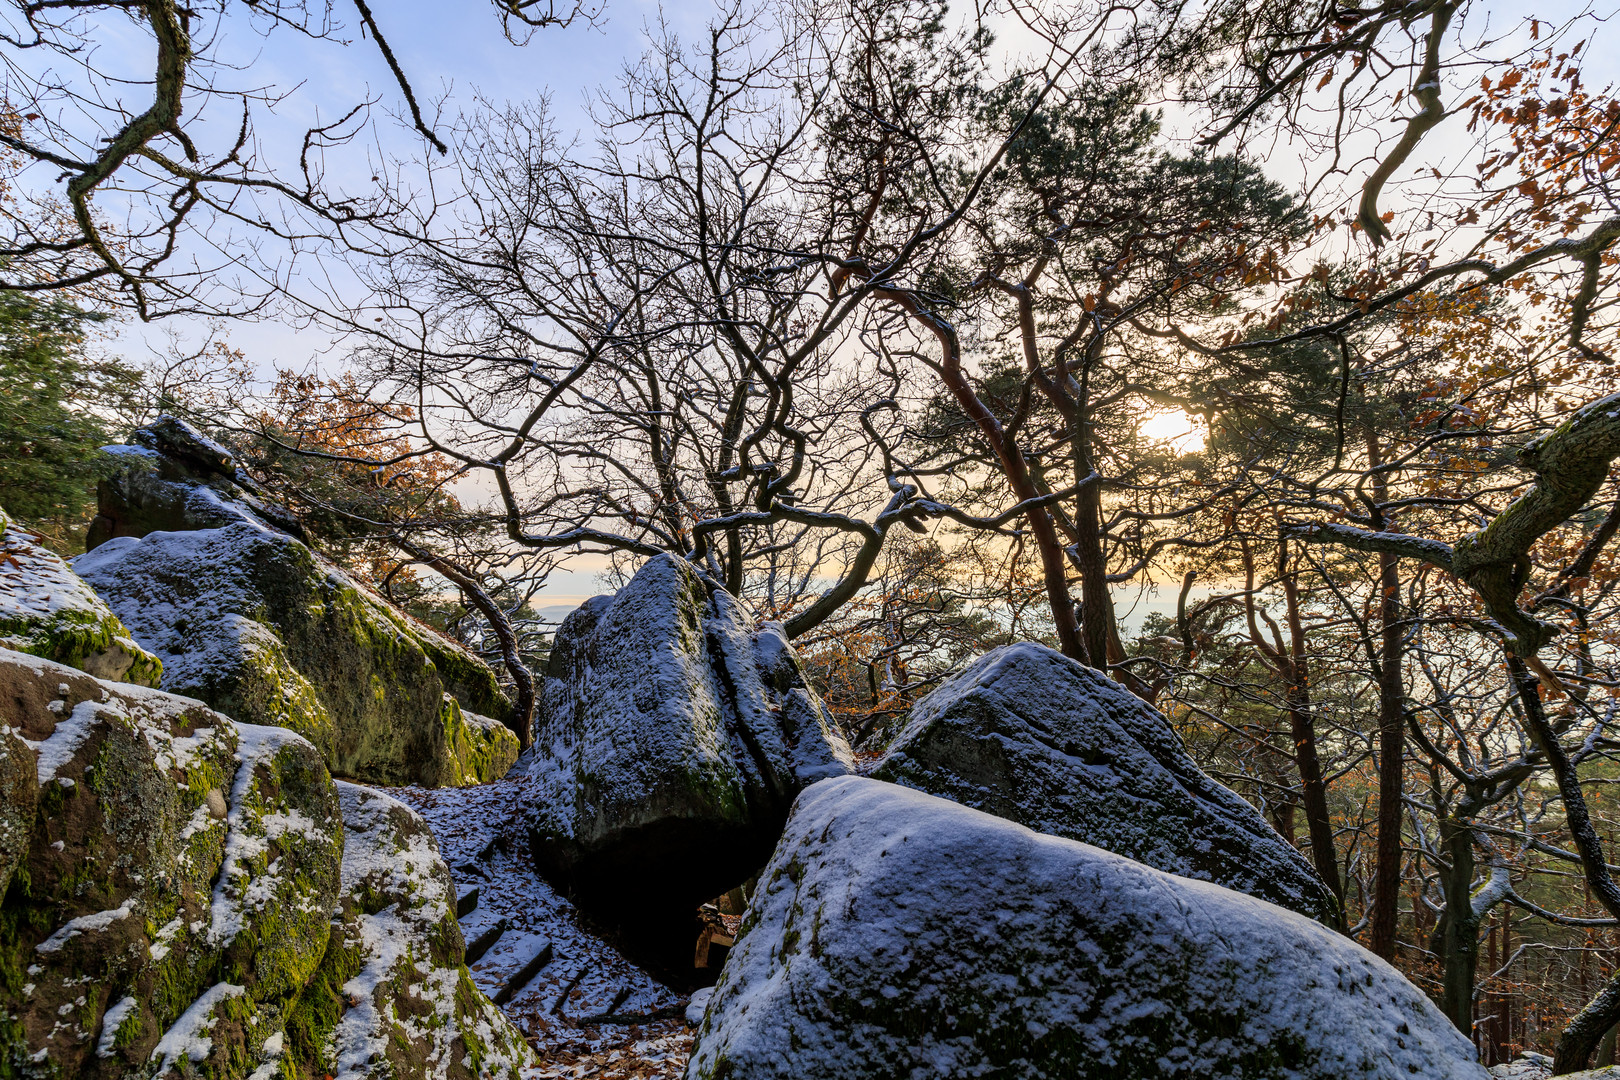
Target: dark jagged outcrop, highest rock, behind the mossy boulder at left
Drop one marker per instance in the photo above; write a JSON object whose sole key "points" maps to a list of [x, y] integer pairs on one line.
{"points": [[177, 480]]}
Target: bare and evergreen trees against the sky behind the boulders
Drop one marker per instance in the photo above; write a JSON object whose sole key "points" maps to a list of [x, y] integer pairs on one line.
{"points": [[866, 310]]}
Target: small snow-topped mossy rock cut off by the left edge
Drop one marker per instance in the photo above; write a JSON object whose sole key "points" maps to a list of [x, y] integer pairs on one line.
{"points": [[48, 611]]}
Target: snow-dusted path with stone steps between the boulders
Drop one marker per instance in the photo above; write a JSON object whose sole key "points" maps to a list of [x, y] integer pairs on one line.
{"points": [[587, 1013]]}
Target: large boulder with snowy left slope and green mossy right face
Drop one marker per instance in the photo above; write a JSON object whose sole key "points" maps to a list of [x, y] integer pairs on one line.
{"points": [[260, 627]]}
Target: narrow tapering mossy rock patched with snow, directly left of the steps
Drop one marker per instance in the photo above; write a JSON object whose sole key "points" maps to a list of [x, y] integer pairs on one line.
{"points": [[393, 1000]]}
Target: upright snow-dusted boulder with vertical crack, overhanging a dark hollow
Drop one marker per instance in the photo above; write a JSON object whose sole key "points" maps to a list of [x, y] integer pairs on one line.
{"points": [[671, 742]]}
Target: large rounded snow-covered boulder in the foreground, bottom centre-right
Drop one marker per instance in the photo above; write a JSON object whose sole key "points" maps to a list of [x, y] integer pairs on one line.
{"points": [[902, 935]]}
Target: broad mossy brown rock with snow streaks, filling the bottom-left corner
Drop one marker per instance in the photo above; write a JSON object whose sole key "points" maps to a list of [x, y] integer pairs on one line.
{"points": [[176, 890]]}
